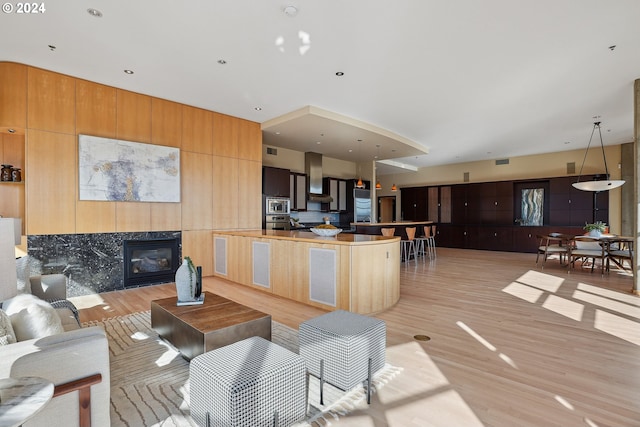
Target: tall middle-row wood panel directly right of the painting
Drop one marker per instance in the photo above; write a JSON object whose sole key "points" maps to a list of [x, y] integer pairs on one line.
{"points": [[197, 200]]}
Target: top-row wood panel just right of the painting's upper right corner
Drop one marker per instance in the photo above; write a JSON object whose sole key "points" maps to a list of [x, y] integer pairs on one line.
{"points": [[197, 130]]}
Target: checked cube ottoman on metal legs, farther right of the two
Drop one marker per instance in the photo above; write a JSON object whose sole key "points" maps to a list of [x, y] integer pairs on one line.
{"points": [[343, 348]]}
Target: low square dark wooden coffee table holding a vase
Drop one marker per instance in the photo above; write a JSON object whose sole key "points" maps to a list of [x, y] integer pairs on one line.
{"points": [[195, 329]]}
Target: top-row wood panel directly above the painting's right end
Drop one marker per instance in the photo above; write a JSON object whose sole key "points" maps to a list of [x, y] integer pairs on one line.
{"points": [[166, 123]]}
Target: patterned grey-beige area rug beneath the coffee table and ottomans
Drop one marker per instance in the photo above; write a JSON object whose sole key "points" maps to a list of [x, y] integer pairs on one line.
{"points": [[150, 380]]}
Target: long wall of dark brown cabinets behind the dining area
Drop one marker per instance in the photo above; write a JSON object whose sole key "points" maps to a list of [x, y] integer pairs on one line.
{"points": [[486, 215]]}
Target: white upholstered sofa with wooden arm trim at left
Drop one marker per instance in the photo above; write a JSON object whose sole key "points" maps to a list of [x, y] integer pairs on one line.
{"points": [[69, 359]]}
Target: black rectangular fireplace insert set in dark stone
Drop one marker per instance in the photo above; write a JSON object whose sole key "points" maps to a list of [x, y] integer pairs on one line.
{"points": [[150, 261]]}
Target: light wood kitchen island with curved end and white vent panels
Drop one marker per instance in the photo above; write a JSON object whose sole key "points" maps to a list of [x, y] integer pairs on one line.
{"points": [[353, 272]]}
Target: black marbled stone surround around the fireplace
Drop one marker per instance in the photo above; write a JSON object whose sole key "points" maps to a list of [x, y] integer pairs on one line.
{"points": [[92, 262]]}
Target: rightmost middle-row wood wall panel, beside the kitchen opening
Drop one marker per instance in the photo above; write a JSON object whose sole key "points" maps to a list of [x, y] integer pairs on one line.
{"points": [[249, 194]]}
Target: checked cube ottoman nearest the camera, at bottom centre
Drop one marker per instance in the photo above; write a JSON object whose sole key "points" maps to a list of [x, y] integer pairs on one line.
{"points": [[249, 383]]}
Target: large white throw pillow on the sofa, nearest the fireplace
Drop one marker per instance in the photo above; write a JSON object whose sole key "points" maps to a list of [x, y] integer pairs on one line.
{"points": [[32, 317]]}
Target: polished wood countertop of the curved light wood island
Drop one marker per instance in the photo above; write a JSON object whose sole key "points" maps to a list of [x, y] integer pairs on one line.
{"points": [[308, 236]]}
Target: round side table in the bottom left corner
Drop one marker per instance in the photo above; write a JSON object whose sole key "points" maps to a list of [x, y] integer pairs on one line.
{"points": [[22, 398]]}
